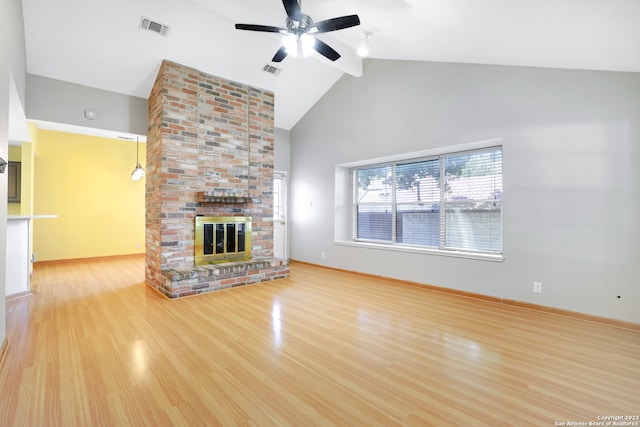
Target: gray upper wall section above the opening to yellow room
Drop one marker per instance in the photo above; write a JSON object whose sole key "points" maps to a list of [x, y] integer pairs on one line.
{"points": [[63, 102]]}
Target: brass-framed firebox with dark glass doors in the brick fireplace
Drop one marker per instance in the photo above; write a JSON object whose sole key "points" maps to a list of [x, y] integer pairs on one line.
{"points": [[222, 239]]}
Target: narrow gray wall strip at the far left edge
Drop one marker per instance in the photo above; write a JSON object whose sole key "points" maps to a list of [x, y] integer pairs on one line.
{"points": [[12, 72]]}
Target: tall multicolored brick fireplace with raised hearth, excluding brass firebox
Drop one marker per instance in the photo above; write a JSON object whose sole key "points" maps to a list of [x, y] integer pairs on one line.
{"points": [[209, 154]]}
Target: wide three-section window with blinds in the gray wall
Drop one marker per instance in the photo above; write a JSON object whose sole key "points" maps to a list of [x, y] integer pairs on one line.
{"points": [[450, 202]]}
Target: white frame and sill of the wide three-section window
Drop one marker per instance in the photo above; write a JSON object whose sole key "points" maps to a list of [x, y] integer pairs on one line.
{"points": [[442, 248]]}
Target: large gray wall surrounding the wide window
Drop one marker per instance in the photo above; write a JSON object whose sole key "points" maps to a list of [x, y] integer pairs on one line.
{"points": [[571, 142]]}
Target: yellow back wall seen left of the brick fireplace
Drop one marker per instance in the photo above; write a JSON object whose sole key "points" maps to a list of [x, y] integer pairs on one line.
{"points": [[86, 181]]}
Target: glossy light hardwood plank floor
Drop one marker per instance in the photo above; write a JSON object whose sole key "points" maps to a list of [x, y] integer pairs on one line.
{"points": [[95, 346]]}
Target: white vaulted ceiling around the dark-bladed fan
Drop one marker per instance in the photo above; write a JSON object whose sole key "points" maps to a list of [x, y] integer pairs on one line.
{"points": [[98, 43]]}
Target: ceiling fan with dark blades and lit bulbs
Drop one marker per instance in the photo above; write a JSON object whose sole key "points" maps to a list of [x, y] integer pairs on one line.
{"points": [[299, 32]]}
